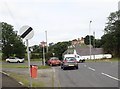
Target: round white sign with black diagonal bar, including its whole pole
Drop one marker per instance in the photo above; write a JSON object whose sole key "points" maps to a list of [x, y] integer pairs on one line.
{"points": [[27, 33]]}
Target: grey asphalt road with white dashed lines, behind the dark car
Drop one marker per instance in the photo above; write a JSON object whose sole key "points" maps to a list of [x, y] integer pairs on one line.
{"points": [[94, 74]]}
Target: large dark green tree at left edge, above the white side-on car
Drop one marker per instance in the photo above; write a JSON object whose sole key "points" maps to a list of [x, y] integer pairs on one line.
{"points": [[11, 43]]}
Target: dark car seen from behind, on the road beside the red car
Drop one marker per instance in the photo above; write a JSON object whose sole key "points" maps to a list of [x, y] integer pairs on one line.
{"points": [[70, 62]]}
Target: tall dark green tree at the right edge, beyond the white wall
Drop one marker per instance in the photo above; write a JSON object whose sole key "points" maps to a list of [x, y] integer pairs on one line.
{"points": [[111, 39]]}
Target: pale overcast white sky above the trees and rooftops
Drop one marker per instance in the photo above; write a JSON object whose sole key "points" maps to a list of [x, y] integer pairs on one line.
{"points": [[64, 20]]}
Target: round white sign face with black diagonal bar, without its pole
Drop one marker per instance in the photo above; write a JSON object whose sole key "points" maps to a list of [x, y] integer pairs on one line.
{"points": [[26, 32]]}
